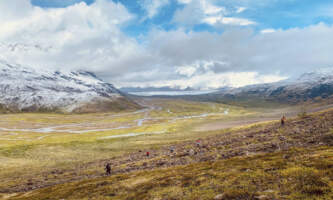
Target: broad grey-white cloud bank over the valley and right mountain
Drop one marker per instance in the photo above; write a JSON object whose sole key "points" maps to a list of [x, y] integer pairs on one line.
{"points": [[235, 58]]}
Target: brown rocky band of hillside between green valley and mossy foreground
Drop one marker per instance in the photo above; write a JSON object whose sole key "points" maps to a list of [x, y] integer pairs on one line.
{"points": [[306, 132]]}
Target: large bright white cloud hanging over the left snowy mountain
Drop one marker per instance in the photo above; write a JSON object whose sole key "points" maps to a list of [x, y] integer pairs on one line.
{"points": [[72, 37]]}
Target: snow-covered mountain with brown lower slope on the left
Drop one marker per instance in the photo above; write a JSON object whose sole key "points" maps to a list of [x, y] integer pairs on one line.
{"points": [[26, 89]]}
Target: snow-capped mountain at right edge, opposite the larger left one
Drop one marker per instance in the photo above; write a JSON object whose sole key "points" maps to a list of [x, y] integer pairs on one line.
{"points": [[307, 86]]}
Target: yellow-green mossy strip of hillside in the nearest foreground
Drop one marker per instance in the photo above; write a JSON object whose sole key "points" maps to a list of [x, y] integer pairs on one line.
{"points": [[294, 174]]}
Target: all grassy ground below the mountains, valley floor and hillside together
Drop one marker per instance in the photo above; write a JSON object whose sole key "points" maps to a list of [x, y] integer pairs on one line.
{"points": [[258, 161]]}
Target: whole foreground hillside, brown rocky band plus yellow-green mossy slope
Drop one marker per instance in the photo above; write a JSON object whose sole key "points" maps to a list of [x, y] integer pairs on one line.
{"points": [[262, 161]]}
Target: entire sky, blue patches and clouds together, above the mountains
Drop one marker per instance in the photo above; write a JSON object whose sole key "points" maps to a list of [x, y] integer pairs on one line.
{"points": [[203, 44]]}
